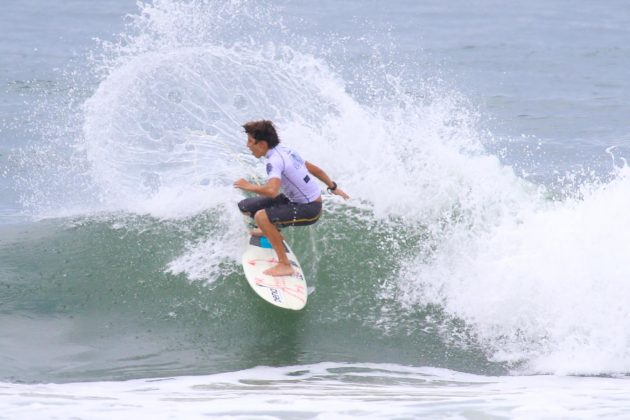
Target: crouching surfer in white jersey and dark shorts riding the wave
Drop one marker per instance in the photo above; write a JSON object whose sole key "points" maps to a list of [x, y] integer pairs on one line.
{"points": [[299, 203]]}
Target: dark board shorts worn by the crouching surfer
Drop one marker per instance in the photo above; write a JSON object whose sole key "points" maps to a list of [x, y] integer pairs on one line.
{"points": [[282, 211]]}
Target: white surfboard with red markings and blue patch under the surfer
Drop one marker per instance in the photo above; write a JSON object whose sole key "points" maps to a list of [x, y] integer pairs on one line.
{"points": [[289, 292]]}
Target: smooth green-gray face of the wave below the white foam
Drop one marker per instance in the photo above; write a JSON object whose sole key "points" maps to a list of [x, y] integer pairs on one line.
{"points": [[92, 299]]}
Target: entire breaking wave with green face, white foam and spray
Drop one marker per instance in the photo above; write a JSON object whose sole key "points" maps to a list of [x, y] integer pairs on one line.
{"points": [[444, 257]]}
